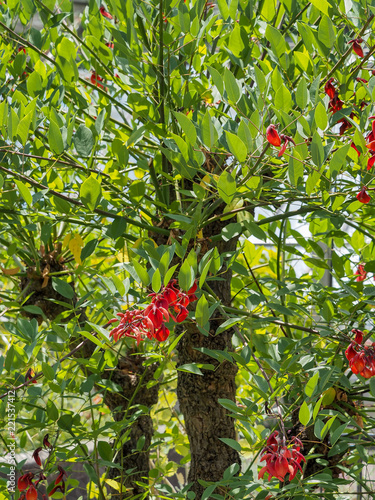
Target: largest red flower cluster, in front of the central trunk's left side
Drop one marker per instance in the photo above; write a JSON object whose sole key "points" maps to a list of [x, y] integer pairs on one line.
{"points": [[149, 322]]}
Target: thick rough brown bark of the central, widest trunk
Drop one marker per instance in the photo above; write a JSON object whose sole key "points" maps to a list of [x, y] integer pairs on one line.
{"points": [[205, 419]]}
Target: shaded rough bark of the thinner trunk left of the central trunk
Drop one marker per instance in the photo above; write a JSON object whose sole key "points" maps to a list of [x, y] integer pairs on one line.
{"points": [[133, 377]]}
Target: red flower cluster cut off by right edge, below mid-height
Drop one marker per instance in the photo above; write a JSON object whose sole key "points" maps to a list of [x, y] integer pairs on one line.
{"points": [[361, 357]]}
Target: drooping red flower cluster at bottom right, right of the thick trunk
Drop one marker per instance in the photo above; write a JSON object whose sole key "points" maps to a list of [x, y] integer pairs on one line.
{"points": [[281, 460]]}
